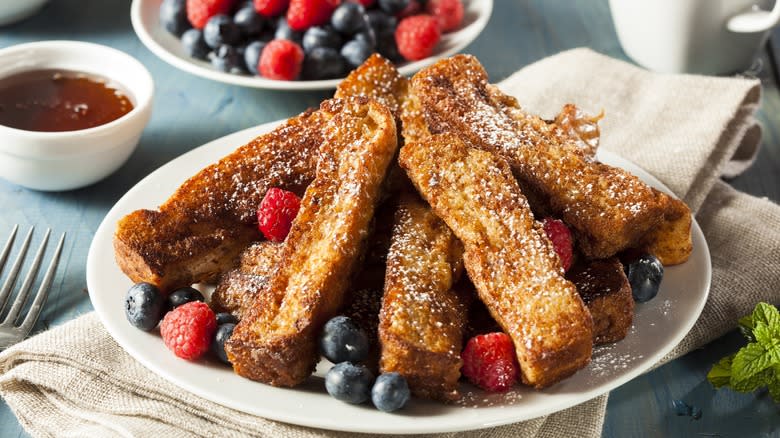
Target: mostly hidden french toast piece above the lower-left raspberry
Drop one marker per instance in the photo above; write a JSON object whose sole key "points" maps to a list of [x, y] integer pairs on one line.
{"points": [[237, 288]]}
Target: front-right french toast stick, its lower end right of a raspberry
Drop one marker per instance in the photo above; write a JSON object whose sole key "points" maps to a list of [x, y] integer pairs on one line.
{"points": [[507, 255]]}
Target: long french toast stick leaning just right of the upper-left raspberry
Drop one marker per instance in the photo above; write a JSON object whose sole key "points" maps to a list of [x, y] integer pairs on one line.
{"points": [[275, 343]]}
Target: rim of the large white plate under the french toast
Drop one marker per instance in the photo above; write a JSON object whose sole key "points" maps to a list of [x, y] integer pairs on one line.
{"points": [[185, 385]]}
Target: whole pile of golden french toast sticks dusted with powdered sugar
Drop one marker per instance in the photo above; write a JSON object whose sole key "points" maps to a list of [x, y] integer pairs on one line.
{"points": [[421, 207]]}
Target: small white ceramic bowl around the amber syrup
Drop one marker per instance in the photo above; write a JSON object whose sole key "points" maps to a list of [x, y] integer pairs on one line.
{"points": [[72, 159]]}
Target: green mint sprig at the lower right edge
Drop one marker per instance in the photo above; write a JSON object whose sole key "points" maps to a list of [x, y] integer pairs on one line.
{"points": [[757, 364]]}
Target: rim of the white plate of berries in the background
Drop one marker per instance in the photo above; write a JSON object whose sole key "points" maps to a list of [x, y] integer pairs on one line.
{"points": [[470, 33]]}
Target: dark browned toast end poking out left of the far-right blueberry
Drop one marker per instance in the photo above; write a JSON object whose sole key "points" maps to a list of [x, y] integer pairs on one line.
{"points": [[604, 288]]}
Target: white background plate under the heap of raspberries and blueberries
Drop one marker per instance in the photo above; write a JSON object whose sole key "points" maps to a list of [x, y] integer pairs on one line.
{"points": [[144, 15]]}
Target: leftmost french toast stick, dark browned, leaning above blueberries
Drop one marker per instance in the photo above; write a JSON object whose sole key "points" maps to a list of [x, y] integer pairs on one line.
{"points": [[201, 229]]}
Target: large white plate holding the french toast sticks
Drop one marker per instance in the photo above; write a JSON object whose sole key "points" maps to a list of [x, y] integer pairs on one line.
{"points": [[659, 325]]}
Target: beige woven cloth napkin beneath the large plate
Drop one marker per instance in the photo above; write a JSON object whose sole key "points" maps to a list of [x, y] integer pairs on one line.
{"points": [[75, 380]]}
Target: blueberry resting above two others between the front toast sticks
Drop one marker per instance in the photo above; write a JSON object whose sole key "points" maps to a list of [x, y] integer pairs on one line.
{"points": [[342, 340]]}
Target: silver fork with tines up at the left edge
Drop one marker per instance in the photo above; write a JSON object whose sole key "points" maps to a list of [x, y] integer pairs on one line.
{"points": [[10, 332]]}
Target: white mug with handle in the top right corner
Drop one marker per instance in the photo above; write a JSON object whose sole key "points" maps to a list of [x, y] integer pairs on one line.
{"points": [[693, 36]]}
